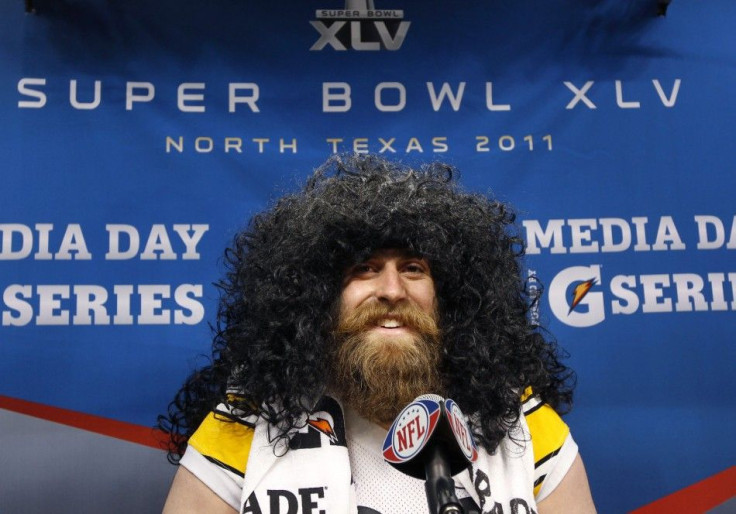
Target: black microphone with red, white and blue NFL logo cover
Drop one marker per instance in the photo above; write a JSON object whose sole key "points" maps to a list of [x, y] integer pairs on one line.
{"points": [[431, 440]]}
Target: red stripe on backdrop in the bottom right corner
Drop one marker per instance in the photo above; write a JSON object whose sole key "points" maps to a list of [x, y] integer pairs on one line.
{"points": [[697, 498]]}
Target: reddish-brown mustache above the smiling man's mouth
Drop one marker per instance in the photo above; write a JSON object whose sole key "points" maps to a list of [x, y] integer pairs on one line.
{"points": [[372, 314]]}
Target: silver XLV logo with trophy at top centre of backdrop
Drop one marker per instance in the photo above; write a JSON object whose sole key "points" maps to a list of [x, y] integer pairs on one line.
{"points": [[360, 26]]}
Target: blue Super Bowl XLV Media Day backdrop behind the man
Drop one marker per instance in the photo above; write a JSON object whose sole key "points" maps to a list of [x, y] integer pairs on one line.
{"points": [[139, 137]]}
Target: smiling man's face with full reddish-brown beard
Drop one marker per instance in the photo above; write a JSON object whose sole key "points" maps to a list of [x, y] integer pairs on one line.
{"points": [[388, 340]]}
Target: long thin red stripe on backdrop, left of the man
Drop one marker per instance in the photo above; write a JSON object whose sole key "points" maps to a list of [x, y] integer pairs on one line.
{"points": [[138, 434]]}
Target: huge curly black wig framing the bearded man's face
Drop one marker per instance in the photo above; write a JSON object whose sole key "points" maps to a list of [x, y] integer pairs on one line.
{"points": [[285, 273]]}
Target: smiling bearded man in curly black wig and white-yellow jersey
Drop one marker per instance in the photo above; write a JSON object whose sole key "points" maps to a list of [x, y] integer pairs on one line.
{"points": [[374, 284]]}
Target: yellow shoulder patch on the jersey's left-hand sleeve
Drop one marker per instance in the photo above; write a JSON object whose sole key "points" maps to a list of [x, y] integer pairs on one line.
{"points": [[223, 441]]}
